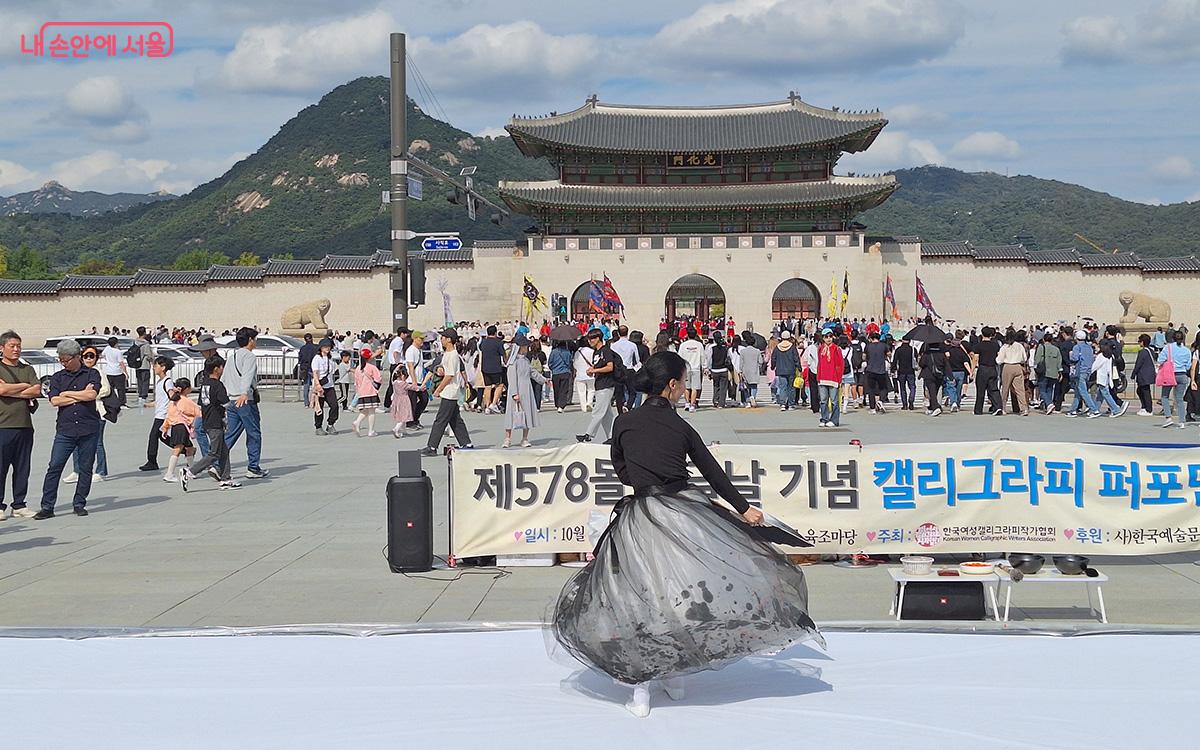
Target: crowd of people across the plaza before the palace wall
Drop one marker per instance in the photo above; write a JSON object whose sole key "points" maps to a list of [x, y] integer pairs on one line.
{"points": [[515, 370]]}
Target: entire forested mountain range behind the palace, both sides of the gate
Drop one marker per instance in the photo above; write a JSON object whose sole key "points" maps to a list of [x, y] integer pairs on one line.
{"points": [[315, 189]]}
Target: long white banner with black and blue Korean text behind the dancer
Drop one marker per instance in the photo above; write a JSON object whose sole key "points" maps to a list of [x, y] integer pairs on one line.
{"points": [[902, 499]]}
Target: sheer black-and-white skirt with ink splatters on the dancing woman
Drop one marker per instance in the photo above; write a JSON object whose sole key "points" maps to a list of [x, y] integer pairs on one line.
{"points": [[679, 586]]}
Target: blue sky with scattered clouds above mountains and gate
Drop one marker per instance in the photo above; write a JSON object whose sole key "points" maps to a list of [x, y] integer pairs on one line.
{"points": [[1097, 93]]}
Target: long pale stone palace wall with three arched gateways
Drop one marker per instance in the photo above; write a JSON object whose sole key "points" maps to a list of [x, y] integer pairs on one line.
{"points": [[489, 289]]}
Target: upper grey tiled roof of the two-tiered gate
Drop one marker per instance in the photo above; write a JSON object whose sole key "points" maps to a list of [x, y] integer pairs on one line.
{"points": [[623, 129]]}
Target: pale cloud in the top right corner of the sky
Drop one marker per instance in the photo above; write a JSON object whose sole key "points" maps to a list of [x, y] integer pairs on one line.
{"points": [[1168, 32]]}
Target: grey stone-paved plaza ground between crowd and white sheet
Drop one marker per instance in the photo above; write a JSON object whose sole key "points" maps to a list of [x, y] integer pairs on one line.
{"points": [[307, 544]]}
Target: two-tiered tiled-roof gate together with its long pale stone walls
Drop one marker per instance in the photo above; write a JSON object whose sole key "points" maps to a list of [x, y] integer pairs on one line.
{"points": [[688, 211]]}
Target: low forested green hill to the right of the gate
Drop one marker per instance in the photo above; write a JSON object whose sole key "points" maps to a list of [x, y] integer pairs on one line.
{"points": [[937, 203]]}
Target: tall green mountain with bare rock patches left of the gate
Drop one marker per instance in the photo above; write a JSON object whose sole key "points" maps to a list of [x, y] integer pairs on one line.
{"points": [[314, 189]]}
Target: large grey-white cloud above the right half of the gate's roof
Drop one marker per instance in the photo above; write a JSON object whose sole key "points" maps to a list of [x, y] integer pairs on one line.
{"points": [[794, 37]]}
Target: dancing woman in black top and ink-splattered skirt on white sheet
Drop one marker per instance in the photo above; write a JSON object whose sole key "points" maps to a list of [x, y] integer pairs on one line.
{"points": [[679, 584]]}
